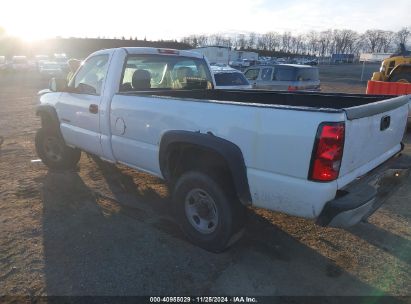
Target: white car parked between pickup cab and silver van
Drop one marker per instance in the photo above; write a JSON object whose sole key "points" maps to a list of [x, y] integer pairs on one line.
{"points": [[229, 78]]}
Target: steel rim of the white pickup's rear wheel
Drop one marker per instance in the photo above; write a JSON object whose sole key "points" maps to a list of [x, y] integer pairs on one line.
{"points": [[201, 211]]}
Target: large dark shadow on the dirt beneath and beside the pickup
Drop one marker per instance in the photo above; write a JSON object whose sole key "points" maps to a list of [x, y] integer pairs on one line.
{"points": [[94, 245]]}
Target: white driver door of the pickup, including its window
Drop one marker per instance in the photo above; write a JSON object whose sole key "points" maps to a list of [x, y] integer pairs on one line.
{"points": [[78, 109]]}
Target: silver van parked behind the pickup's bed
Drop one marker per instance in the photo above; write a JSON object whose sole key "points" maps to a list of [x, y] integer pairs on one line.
{"points": [[285, 77]]}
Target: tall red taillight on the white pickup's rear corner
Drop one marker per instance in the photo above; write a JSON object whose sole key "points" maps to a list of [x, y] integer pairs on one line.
{"points": [[327, 152]]}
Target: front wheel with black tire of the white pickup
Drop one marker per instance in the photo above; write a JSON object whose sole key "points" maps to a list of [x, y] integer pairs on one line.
{"points": [[65, 157]]}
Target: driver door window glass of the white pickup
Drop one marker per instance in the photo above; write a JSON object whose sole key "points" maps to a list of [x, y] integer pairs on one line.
{"points": [[90, 77]]}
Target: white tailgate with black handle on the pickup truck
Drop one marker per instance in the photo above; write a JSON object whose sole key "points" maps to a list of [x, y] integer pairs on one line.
{"points": [[373, 133]]}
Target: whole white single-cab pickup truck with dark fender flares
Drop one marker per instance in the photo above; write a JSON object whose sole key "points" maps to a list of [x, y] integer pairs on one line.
{"points": [[314, 155]]}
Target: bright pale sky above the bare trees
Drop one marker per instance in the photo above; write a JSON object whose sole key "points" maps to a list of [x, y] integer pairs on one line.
{"points": [[173, 19]]}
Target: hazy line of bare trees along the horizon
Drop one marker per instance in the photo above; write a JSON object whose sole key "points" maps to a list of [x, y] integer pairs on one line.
{"points": [[312, 43]]}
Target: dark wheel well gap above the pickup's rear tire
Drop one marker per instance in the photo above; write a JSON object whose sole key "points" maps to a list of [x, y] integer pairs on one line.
{"points": [[189, 157]]}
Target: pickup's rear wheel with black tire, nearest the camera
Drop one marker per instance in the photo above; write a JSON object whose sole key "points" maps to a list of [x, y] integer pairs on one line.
{"points": [[223, 230]]}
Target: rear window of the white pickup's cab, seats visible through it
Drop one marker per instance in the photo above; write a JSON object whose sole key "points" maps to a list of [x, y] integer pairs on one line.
{"points": [[145, 72]]}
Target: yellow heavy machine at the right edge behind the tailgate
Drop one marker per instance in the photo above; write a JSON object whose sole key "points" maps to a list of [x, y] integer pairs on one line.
{"points": [[396, 68]]}
